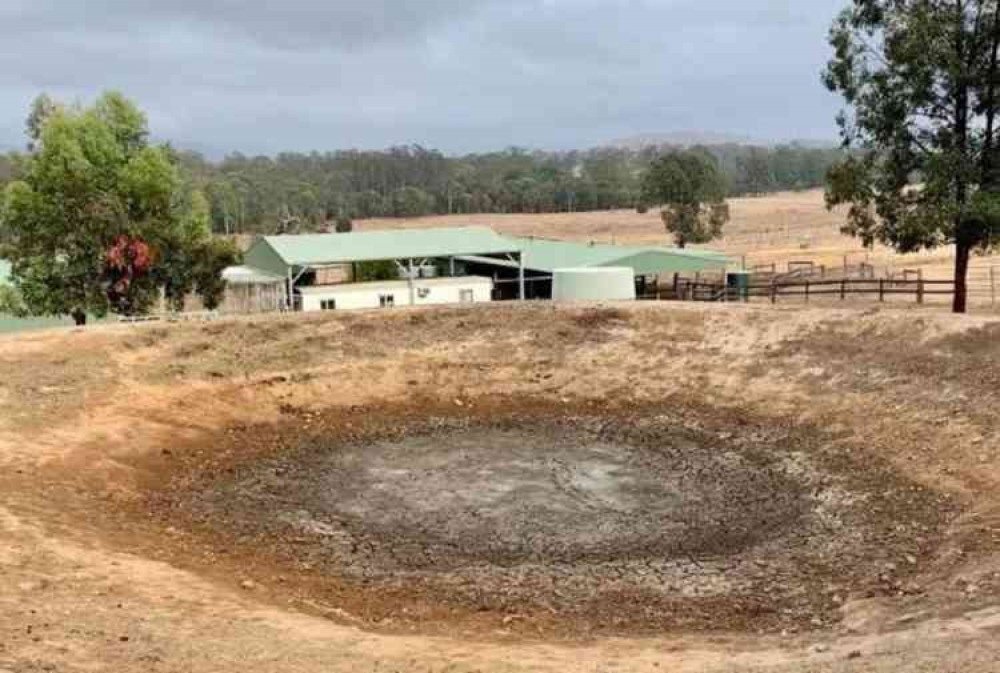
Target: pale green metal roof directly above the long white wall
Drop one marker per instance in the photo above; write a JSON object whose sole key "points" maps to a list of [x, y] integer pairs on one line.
{"points": [[322, 249]]}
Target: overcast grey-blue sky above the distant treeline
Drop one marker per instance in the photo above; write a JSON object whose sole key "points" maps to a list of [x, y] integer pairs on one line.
{"points": [[264, 76]]}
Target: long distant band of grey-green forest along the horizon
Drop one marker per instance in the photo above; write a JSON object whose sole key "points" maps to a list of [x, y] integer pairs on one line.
{"points": [[304, 192]]}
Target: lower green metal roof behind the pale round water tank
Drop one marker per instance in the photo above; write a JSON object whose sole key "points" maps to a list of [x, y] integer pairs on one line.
{"points": [[547, 255]]}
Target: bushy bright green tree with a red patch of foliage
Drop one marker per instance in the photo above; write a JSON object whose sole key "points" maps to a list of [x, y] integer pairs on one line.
{"points": [[93, 218]]}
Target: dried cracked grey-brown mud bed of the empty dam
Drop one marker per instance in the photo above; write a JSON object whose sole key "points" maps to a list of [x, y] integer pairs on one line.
{"points": [[608, 521]]}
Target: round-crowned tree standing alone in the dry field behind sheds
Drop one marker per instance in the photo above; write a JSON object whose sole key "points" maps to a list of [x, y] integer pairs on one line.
{"points": [[691, 190]]}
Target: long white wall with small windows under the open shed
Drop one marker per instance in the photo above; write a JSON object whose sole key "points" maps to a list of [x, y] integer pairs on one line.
{"points": [[364, 296]]}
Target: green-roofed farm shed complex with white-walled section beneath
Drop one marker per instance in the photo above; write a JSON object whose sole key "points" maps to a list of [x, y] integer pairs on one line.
{"points": [[444, 265]]}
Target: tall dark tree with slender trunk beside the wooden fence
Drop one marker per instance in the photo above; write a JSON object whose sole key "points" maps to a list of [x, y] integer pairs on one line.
{"points": [[920, 78]]}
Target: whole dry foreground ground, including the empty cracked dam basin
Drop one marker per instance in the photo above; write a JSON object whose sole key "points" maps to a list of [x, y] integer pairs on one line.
{"points": [[641, 488]]}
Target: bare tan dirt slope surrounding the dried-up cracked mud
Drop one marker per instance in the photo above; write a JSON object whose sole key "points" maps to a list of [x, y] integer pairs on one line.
{"points": [[97, 574]]}
